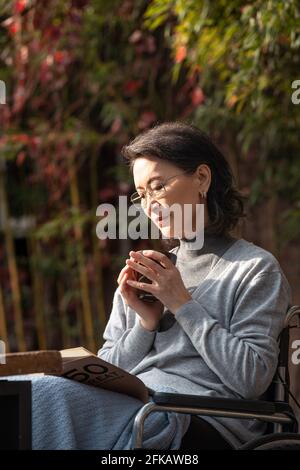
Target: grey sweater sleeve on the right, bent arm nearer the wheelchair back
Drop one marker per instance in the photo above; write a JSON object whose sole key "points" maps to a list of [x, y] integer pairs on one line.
{"points": [[243, 356]]}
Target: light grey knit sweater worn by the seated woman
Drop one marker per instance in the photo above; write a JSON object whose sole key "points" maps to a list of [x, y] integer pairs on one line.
{"points": [[221, 343]]}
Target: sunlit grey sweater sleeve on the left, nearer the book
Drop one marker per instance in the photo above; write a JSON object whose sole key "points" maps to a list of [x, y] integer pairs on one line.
{"points": [[124, 347]]}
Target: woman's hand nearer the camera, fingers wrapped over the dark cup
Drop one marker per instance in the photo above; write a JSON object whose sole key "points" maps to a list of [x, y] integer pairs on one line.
{"points": [[167, 284]]}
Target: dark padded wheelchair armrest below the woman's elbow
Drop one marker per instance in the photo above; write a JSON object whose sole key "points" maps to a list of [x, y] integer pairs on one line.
{"points": [[228, 404]]}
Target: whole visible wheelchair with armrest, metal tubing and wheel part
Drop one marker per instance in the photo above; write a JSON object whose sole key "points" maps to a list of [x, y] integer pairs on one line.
{"points": [[274, 408]]}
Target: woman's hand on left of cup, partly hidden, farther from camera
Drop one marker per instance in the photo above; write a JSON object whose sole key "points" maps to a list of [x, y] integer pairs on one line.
{"points": [[150, 313]]}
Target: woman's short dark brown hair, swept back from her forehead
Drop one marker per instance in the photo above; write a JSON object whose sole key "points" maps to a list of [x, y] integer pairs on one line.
{"points": [[187, 147]]}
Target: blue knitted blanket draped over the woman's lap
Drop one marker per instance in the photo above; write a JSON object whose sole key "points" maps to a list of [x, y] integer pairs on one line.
{"points": [[70, 415]]}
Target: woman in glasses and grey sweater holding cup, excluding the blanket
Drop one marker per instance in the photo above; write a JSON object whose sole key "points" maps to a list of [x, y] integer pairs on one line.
{"points": [[214, 327]]}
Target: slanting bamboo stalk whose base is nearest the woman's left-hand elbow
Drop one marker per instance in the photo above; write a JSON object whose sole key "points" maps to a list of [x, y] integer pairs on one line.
{"points": [[83, 279]]}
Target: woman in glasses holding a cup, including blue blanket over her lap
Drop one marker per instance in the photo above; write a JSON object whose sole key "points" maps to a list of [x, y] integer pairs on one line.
{"points": [[213, 327]]}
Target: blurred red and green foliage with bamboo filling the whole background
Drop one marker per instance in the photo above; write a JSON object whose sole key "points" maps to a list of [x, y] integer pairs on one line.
{"points": [[83, 77]]}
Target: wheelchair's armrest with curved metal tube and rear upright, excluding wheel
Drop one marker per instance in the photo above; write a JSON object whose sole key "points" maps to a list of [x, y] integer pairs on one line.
{"points": [[277, 412]]}
